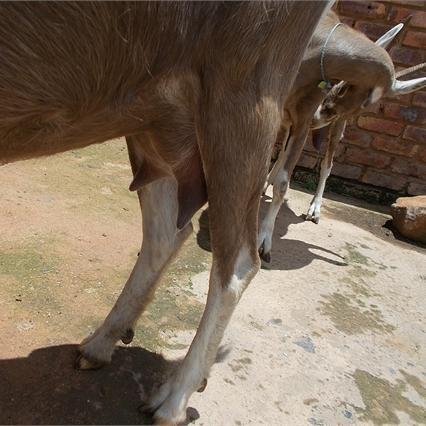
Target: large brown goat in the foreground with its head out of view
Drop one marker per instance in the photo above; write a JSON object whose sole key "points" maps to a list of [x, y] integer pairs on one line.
{"points": [[74, 74]]}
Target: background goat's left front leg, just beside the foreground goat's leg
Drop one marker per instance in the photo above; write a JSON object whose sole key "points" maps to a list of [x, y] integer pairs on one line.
{"points": [[280, 187]]}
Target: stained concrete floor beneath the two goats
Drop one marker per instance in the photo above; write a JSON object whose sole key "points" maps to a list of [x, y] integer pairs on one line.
{"points": [[332, 331]]}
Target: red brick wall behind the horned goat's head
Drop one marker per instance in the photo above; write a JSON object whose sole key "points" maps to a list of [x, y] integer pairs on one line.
{"points": [[386, 145]]}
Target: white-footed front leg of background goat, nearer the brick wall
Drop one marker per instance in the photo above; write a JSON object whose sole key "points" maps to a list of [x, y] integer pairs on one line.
{"points": [[335, 135]]}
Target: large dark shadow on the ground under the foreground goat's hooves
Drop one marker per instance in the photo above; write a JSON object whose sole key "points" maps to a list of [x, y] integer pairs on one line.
{"points": [[44, 388]]}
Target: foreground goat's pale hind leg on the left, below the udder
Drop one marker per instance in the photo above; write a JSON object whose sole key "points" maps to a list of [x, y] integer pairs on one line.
{"points": [[161, 240]]}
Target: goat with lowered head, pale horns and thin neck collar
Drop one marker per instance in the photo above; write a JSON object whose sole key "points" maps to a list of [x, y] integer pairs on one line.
{"points": [[365, 72]]}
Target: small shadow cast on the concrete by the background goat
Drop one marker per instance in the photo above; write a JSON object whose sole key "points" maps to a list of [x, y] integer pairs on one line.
{"points": [[287, 254]]}
